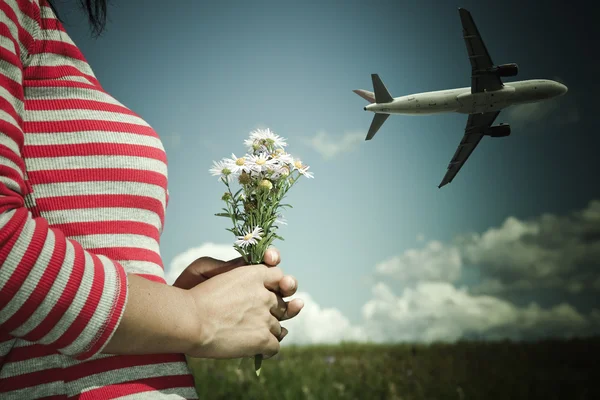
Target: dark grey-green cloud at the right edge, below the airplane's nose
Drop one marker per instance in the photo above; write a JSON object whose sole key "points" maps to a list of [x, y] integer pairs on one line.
{"points": [[550, 251]]}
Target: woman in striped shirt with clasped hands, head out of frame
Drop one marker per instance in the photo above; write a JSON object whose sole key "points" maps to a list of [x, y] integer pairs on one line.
{"points": [[84, 308]]}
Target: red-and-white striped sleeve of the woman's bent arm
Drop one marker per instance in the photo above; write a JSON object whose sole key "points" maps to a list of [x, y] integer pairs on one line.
{"points": [[52, 291]]}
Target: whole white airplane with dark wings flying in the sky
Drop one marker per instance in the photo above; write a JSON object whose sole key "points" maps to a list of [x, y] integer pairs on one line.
{"points": [[483, 101]]}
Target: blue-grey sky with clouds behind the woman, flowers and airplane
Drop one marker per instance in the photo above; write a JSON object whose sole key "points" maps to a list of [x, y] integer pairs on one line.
{"points": [[509, 249]]}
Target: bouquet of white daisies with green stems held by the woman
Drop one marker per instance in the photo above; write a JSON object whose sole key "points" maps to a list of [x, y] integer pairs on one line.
{"points": [[264, 174]]}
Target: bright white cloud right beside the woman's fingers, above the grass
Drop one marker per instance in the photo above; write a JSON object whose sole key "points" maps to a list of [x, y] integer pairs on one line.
{"points": [[316, 324]]}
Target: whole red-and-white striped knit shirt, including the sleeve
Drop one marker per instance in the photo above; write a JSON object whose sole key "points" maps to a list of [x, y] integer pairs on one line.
{"points": [[83, 194]]}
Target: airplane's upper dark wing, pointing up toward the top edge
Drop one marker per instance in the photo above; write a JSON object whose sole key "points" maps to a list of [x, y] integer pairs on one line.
{"points": [[479, 56]]}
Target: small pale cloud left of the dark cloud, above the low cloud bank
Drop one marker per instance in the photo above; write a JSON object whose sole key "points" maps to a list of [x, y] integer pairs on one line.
{"points": [[434, 262]]}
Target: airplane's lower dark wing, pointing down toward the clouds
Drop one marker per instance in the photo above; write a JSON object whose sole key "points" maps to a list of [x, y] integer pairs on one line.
{"points": [[473, 134]]}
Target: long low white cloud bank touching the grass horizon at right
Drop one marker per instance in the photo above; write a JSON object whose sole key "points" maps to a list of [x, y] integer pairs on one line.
{"points": [[440, 312]]}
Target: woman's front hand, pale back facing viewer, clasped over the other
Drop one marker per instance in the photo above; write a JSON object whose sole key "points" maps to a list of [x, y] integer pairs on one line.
{"points": [[238, 313]]}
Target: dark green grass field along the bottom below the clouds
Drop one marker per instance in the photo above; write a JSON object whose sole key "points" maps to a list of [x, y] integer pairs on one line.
{"points": [[546, 370]]}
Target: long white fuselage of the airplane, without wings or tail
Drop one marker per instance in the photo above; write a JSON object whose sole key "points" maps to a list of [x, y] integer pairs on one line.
{"points": [[461, 100]]}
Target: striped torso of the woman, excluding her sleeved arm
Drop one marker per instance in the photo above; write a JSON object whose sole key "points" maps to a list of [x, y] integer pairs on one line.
{"points": [[98, 173]]}
